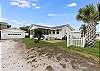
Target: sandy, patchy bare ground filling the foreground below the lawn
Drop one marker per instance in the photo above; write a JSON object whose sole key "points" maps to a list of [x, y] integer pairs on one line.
{"points": [[14, 57]]}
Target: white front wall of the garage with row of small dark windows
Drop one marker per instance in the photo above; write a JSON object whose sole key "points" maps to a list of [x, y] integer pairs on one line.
{"points": [[4, 34]]}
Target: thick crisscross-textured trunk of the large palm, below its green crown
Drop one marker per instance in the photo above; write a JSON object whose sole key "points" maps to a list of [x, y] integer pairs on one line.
{"points": [[91, 35]]}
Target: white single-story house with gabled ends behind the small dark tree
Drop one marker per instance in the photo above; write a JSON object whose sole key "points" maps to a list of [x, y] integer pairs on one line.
{"points": [[57, 32]]}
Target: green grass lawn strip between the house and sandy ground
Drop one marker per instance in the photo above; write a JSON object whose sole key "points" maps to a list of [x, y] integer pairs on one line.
{"points": [[92, 52]]}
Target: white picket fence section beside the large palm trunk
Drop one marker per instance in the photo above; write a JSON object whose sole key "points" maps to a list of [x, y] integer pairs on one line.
{"points": [[77, 40]]}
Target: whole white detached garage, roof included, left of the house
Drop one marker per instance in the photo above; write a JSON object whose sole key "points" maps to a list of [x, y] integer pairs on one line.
{"points": [[11, 33]]}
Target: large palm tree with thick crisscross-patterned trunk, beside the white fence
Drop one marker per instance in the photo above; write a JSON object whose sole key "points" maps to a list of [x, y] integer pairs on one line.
{"points": [[89, 14]]}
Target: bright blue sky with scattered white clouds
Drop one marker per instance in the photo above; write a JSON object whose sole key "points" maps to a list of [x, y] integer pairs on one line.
{"points": [[43, 12]]}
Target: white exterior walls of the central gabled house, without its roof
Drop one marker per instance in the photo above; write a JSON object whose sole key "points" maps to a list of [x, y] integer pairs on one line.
{"points": [[62, 32]]}
